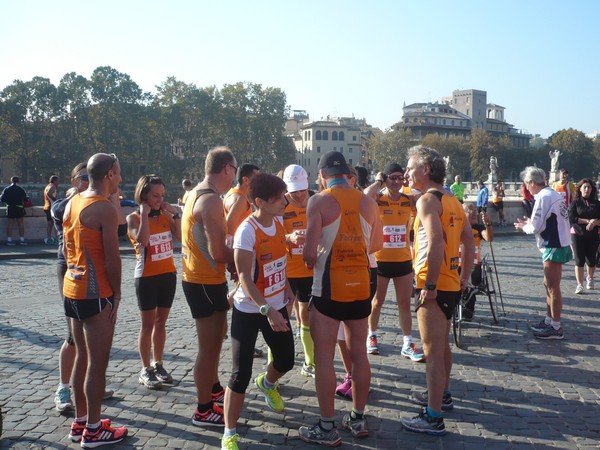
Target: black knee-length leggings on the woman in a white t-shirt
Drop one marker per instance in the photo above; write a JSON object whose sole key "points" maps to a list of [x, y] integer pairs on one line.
{"points": [[244, 331]]}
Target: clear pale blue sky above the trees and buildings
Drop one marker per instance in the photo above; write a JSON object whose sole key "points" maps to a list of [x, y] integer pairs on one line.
{"points": [[538, 58]]}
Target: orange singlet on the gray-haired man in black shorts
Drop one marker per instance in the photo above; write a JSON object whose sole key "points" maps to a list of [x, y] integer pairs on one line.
{"points": [[453, 219]]}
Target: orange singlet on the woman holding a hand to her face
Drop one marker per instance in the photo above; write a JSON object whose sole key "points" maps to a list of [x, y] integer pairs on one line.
{"points": [[157, 257]]}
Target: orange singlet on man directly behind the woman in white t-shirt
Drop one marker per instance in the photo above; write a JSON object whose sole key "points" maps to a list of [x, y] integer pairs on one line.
{"points": [[198, 266]]}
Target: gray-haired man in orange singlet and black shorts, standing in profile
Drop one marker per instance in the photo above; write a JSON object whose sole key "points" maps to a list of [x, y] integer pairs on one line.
{"points": [[440, 227]]}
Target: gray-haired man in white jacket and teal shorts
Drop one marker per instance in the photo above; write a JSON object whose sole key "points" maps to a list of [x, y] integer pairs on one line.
{"points": [[550, 223]]}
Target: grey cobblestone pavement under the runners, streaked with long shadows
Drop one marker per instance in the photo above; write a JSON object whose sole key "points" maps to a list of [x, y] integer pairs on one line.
{"points": [[510, 391]]}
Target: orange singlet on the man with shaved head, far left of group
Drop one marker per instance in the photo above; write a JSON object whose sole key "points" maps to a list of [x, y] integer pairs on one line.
{"points": [[86, 276]]}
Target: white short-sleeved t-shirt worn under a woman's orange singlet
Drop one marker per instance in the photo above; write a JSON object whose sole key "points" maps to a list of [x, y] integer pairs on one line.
{"points": [[244, 239]]}
